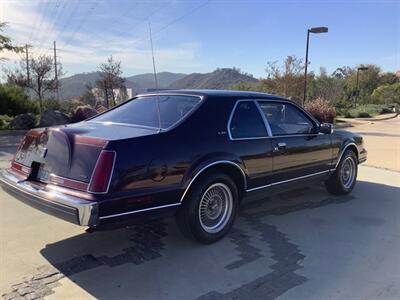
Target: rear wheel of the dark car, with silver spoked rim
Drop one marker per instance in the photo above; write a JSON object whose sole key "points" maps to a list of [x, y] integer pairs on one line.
{"points": [[208, 211]]}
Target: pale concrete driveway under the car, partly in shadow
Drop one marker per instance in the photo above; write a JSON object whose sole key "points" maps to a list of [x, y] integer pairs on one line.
{"points": [[301, 244]]}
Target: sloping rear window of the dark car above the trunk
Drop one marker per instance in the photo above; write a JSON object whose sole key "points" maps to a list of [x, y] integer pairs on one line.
{"points": [[142, 111]]}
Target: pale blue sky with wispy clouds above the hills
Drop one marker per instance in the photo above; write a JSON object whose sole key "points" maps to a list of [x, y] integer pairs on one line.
{"points": [[202, 35]]}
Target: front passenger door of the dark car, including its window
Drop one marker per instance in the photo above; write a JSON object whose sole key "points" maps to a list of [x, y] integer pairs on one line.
{"points": [[298, 149]]}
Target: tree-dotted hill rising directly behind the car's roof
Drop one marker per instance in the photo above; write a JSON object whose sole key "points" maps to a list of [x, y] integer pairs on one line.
{"points": [[218, 79]]}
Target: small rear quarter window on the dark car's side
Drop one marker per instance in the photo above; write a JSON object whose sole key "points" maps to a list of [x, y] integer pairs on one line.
{"points": [[247, 122]]}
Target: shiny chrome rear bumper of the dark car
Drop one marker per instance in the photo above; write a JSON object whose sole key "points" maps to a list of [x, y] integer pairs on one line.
{"points": [[86, 211]]}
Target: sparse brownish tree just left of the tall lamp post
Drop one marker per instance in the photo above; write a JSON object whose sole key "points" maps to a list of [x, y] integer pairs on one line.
{"points": [[287, 79]]}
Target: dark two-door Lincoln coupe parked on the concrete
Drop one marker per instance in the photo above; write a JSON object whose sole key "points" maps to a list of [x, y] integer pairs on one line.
{"points": [[193, 154]]}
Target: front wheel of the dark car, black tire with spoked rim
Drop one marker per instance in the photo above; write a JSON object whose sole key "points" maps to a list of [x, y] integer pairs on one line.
{"points": [[337, 183]]}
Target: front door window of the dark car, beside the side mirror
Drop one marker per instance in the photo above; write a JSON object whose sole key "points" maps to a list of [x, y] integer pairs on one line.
{"points": [[286, 119]]}
